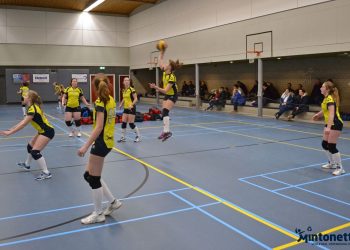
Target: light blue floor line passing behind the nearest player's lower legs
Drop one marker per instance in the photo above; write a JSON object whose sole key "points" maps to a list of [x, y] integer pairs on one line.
{"points": [[87, 205]]}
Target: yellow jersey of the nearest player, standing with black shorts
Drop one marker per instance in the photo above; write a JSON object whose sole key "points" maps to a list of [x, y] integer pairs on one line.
{"points": [[107, 134]]}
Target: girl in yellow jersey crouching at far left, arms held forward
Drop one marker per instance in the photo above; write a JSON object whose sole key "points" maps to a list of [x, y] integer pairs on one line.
{"points": [[36, 117]]}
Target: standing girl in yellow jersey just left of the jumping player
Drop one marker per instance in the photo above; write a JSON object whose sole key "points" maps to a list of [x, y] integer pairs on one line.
{"points": [[129, 104]]}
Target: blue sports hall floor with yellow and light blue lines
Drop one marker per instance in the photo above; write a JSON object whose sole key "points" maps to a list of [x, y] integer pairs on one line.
{"points": [[223, 181]]}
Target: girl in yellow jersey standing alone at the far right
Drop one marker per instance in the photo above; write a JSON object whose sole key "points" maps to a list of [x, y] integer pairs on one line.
{"points": [[333, 127]]}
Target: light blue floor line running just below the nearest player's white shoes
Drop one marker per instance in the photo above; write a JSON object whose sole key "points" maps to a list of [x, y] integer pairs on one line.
{"points": [[48, 236]]}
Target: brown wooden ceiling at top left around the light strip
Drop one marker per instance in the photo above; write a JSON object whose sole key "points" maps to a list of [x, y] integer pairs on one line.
{"points": [[122, 7]]}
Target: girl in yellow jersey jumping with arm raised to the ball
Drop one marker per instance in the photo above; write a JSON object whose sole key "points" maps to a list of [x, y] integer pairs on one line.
{"points": [[170, 90]]}
